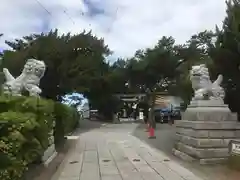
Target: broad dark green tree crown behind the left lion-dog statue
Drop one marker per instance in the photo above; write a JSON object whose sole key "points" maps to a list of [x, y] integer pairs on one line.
{"points": [[74, 63]]}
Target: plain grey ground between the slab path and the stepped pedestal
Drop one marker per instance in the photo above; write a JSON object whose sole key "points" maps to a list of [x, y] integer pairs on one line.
{"points": [[165, 135]]}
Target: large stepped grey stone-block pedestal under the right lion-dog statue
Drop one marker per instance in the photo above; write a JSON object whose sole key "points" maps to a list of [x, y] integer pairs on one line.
{"points": [[204, 133]]}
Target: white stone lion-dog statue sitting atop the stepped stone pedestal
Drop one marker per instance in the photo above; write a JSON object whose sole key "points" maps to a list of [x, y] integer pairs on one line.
{"points": [[204, 88]]}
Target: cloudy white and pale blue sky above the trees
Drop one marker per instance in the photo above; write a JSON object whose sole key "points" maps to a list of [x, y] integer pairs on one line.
{"points": [[126, 25]]}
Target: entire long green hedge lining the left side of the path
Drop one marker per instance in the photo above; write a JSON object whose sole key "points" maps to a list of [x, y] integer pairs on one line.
{"points": [[25, 123]]}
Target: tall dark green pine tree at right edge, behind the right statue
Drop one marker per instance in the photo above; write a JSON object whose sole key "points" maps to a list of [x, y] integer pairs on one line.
{"points": [[227, 54]]}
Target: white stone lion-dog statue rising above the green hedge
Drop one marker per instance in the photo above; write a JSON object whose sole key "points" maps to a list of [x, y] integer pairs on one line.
{"points": [[28, 80]]}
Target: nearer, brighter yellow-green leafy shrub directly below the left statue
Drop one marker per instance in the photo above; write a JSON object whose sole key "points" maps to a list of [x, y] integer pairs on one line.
{"points": [[24, 134]]}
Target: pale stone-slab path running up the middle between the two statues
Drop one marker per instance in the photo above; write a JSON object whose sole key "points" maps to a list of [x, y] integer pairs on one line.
{"points": [[113, 154]]}
